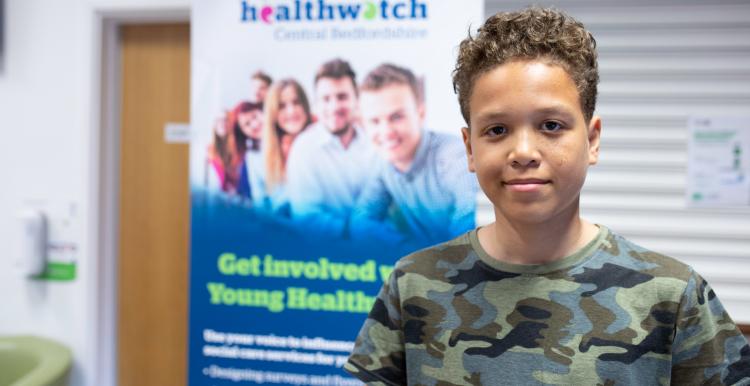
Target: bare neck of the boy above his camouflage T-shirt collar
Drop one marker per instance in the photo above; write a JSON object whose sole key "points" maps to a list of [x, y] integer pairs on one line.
{"points": [[533, 243]]}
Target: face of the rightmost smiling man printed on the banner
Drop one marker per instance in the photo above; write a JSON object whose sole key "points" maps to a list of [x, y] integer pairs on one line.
{"points": [[393, 120]]}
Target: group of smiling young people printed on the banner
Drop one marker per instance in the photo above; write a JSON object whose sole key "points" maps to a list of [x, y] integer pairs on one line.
{"points": [[349, 160]]}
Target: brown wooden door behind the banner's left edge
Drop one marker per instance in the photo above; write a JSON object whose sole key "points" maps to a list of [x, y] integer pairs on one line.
{"points": [[154, 207]]}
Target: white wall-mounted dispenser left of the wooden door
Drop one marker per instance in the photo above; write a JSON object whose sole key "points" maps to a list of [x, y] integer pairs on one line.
{"points": [[31, 254]]}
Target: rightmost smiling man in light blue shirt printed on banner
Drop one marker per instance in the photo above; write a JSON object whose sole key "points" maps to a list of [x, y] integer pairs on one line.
{"points": [[421, 192]]}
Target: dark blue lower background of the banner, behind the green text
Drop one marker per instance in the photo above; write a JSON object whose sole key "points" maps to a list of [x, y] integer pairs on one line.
{"points": [[220, 226]]}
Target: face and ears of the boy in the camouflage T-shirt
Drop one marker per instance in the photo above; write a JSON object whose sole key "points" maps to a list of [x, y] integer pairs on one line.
{"points": [[529, 143]]}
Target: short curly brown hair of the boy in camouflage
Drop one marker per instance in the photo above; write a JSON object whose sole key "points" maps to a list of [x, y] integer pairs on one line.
{"points": [[530, 34]]}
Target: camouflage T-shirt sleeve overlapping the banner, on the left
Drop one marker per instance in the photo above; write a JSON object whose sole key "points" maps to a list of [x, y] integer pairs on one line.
{"points": [[378, 355]]}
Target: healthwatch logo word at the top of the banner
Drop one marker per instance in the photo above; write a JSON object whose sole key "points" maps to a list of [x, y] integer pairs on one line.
{"points": [[321, 10]]}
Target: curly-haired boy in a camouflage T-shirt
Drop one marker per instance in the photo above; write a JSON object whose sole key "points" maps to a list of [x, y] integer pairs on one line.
{"points": [[541, 296]]}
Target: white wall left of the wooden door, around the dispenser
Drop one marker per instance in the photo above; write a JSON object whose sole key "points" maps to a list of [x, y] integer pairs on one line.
{"points": [[49, 125]]}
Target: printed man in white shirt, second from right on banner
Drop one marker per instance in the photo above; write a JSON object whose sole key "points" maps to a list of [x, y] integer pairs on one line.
{"points": [[326, 167]]}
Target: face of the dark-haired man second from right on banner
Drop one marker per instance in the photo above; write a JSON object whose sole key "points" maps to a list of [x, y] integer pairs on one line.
{"points": [[336, 103]]}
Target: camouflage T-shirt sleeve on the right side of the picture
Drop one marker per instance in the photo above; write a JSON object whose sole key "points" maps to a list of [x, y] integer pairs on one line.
{"points": [[708, 348]]}
